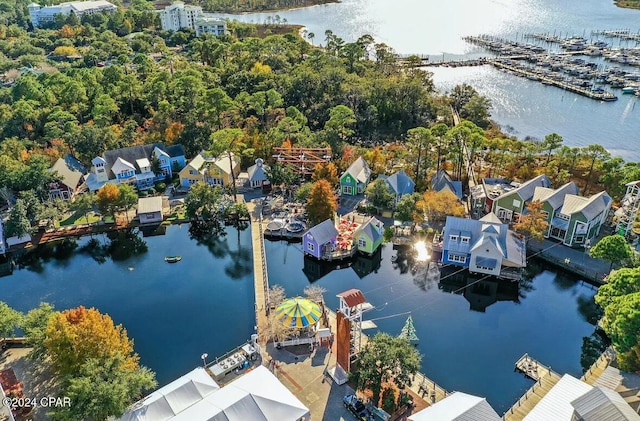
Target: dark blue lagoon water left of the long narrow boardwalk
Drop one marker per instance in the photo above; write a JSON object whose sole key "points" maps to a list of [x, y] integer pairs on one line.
{"points": [[173, 312]]}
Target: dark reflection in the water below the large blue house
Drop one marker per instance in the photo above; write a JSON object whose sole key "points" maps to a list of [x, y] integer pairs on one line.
{"points": [[481, 293]]}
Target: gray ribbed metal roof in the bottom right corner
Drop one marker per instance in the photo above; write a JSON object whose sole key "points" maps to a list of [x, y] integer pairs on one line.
{"points": [[602, 404]]}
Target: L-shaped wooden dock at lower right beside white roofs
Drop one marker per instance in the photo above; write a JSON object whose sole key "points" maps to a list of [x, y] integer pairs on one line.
{"points": [[545, 380]]}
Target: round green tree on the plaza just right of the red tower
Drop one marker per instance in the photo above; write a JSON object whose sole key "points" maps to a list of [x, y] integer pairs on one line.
{"points": [[385, 358]]}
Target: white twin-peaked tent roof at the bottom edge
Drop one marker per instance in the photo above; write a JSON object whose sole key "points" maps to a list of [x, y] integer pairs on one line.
{"points": [[256, 395]]}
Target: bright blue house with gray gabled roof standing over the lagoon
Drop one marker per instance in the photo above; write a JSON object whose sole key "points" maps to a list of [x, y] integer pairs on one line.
{"points": [[484, 246]]}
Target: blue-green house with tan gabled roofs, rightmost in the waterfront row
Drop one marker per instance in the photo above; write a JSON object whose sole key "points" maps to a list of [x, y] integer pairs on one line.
{"points": [[573, 219]]}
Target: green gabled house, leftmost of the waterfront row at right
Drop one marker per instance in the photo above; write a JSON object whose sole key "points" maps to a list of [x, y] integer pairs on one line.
{"points": [[509, 203]]}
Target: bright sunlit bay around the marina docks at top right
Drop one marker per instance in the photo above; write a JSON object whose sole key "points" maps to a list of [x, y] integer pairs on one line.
{"points": [[530, 108]]}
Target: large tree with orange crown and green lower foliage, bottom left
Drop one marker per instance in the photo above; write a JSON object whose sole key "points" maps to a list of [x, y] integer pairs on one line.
{"points": [[95, 362]]}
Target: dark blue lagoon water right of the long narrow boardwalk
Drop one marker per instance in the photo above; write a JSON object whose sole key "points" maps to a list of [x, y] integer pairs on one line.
{"points": [[469, 340]]}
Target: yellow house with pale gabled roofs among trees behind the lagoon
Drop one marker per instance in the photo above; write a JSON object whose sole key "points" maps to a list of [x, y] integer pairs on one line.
{"points": [[214, 171]]}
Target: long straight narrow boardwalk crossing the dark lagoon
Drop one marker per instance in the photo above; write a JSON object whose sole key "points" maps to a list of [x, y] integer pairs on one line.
{"points": [[260, 275]]}
